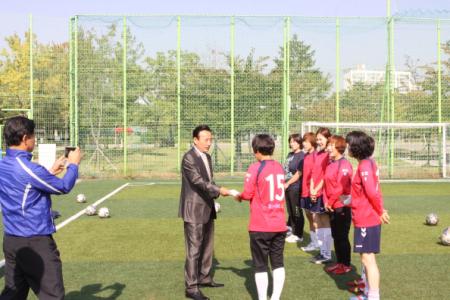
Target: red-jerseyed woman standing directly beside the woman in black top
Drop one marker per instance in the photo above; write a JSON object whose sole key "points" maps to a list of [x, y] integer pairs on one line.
{"points": [[309, 146]]}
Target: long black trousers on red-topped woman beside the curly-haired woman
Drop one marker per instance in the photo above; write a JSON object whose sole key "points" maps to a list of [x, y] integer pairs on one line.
{"points": [[340, 221]]}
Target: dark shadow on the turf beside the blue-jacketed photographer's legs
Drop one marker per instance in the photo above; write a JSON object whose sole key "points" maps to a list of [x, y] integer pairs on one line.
{"points": [[89, 292]]}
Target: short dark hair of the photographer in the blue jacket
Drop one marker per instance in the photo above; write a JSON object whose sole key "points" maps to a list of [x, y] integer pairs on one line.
{"points": [[16, 128]]}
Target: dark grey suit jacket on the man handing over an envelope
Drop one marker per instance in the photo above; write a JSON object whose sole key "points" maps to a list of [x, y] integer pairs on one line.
{"points": [[197, 192]]}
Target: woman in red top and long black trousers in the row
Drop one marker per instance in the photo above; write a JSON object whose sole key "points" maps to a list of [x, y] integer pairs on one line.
{"points": [[338, 182]]}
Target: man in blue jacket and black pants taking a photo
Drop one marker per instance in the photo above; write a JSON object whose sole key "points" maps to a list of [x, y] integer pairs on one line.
{"points": [[31, 255]]}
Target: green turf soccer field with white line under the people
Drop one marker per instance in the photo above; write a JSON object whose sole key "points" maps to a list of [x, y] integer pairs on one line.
{"points": [[138, 253]]}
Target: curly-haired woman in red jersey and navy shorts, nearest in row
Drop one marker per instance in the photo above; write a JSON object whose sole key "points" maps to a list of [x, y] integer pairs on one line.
{"points": [[367, 211]]}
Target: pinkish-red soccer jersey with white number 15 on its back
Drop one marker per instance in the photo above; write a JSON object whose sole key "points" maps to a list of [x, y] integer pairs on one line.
{"points": [[266, 195]]}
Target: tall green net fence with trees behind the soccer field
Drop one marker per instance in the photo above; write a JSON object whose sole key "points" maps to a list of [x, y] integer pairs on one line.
{"points": [[130, 89]]}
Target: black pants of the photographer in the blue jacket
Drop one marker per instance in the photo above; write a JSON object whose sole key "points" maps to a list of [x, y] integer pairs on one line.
{"points": [[34, 263]]}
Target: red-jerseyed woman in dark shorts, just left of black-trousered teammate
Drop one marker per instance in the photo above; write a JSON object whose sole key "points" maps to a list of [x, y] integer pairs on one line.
{"points": [[316, 205]]}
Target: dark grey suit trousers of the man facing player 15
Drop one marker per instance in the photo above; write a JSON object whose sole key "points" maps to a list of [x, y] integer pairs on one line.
{"points": [[199, 244]]}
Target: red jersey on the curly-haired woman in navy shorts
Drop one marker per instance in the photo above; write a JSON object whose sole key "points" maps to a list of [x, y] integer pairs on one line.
{"points": [[367, 201]]}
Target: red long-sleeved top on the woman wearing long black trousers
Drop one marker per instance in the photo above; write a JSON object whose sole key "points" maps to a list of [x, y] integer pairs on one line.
{"points": [[338, 181]]}
